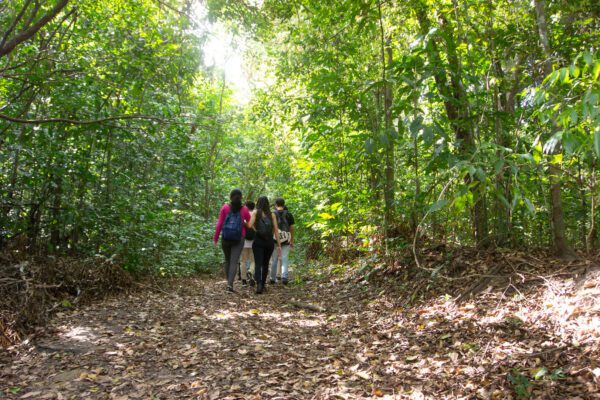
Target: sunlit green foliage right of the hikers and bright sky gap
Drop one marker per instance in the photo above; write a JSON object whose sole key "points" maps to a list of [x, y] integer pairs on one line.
{"points": [[475, 70]]}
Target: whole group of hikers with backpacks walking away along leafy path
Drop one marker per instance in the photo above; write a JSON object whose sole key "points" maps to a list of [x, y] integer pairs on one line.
{"points": [[261, 237]]}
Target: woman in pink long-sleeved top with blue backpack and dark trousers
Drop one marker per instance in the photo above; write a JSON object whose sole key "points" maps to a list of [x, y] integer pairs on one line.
{"points": [[232, 224]]}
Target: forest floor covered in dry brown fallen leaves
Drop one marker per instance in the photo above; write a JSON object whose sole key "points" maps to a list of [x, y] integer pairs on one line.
{"points": [[337, 337]]}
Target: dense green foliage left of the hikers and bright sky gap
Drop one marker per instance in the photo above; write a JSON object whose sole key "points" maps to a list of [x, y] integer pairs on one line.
{"points": [[144, 189]]}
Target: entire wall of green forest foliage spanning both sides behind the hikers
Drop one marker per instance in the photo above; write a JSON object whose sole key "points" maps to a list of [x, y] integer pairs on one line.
{"points": [[115, 139]]}
